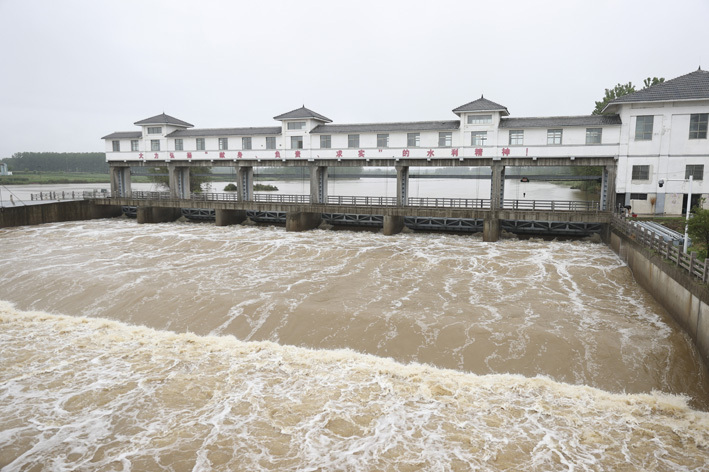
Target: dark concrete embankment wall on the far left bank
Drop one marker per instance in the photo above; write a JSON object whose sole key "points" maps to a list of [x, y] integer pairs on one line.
{"points": [[53, 212]]}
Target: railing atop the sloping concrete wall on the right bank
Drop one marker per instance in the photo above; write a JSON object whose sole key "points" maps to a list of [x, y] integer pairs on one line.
{"points": [[649, 239]]}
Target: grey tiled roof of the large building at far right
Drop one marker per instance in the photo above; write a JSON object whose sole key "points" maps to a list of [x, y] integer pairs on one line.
{"points": [[692, 86]]}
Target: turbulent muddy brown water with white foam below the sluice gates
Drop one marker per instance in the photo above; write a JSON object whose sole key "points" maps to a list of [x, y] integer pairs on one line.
{"points": [[350, 351]]}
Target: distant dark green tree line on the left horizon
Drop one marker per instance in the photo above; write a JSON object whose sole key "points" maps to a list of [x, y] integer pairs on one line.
{"points": [[89, 162]]}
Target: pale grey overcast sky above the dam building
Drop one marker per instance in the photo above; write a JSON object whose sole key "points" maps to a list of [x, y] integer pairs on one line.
{"points": [[73, 71]]}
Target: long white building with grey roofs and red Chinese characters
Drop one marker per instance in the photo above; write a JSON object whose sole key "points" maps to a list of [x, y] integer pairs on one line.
{"points": [[658, 136]]}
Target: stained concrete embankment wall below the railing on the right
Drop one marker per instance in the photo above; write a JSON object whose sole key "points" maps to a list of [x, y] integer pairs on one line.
{"points": [[685, 298]]}
